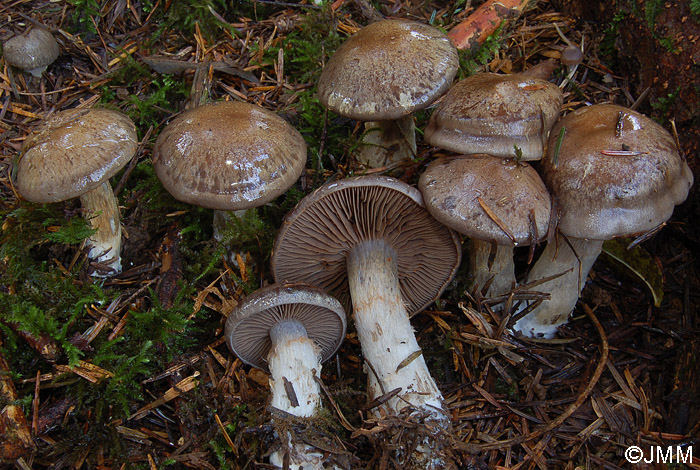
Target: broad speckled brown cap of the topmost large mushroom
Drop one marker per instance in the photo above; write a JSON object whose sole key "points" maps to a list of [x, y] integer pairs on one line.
{"points": [[387, 70]]}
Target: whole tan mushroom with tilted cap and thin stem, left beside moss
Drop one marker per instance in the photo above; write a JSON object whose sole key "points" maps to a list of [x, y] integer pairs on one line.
{"points": [[74, 153]]}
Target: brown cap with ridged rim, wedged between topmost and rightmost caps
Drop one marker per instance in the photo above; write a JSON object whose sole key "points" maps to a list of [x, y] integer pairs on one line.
{"points": [[491, 113]]}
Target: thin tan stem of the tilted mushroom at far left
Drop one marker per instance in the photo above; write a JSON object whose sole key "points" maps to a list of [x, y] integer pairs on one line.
{"points": [[102, 209]]}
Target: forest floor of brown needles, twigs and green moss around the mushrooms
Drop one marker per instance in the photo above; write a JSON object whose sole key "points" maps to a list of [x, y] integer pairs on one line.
{"points": [[133, 371]]}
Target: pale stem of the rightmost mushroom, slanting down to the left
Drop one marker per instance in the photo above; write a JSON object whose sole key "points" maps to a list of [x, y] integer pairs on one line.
{"points": [[557, 258]]}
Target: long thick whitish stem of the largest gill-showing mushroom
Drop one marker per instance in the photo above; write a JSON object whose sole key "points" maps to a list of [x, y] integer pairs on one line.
{"points": [[387, 338]]}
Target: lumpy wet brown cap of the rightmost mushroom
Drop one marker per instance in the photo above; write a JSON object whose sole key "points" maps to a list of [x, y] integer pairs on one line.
{"points": [[617, 173]]}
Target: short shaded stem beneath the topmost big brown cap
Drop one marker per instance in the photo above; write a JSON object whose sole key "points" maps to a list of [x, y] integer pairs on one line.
{"points": [[388, 142]]}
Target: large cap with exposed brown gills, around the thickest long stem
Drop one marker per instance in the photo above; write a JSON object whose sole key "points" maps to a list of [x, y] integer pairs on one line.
{"points": [[315, 238]]}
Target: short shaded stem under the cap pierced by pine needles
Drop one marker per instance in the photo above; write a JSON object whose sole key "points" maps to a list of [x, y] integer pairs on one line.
{"points": [[500, 271]]}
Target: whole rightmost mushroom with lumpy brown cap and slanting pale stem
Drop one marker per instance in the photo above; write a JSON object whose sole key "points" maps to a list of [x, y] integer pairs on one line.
{"points": [[614, 173]]}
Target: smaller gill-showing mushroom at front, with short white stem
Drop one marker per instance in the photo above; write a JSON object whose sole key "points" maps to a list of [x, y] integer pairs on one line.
{"points": [[288, 330]]}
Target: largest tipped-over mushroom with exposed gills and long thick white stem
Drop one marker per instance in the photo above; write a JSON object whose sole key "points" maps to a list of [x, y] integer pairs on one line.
{"points": [[369, 241]]}
